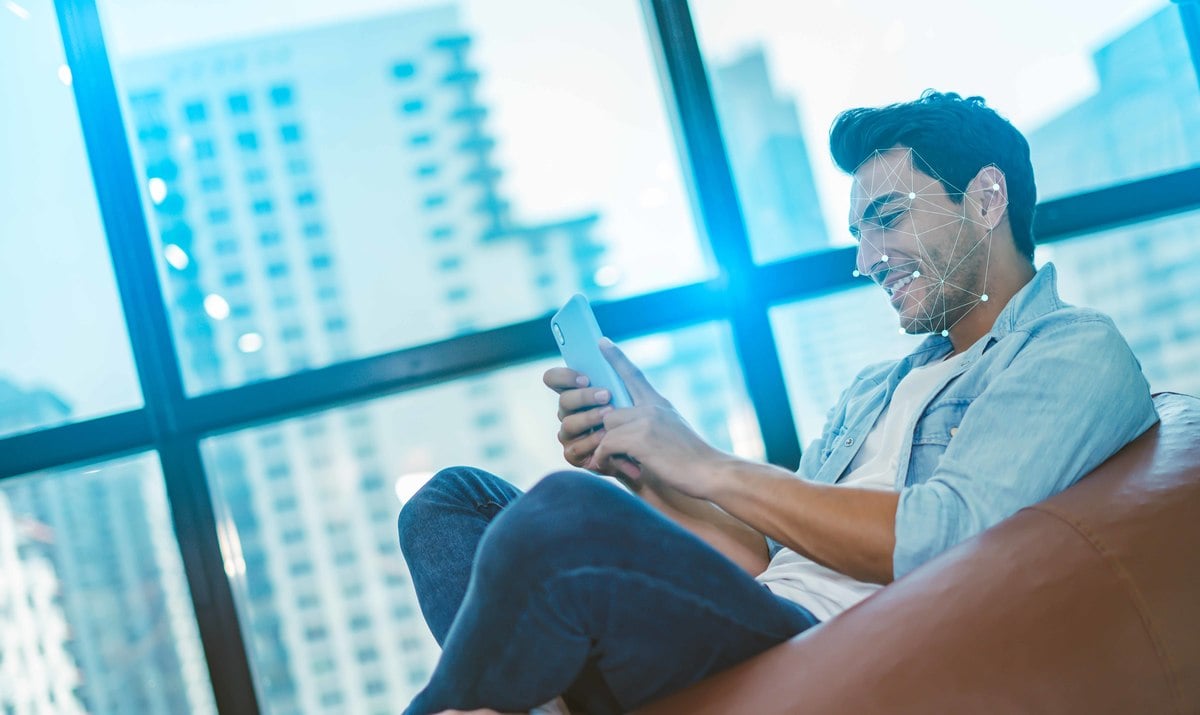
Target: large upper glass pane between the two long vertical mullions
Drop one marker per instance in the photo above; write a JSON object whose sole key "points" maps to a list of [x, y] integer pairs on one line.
{"points": [[376, 175]]}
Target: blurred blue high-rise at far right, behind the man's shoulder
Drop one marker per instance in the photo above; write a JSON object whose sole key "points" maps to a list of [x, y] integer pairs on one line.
{"points": [[1144, 119]]}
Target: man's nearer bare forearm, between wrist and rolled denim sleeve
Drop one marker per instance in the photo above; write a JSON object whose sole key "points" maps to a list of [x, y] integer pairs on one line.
{"points": [[848, 530]]}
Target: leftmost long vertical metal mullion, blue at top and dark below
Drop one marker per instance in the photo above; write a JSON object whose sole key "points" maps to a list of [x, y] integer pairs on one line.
{"points": [[154, 353]]}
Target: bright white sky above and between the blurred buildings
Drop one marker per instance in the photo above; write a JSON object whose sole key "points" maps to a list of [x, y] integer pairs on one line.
{"points": [[577, 105]]}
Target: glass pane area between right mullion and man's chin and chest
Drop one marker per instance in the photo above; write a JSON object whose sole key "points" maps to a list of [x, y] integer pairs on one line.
{"points": [[856, 328]]}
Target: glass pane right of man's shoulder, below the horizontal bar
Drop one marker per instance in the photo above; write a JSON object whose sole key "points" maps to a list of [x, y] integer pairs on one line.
{"points": [[1145, 278]]}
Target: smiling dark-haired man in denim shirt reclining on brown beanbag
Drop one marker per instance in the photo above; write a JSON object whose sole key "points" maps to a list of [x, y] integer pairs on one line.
{"points": [[616, 598]]}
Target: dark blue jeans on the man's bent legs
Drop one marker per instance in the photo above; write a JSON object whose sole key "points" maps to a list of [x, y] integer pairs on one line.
{"points": [[577, 588]]}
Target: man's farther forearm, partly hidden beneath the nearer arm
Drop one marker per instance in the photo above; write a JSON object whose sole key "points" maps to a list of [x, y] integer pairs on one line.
{"points": [[733, 538]]}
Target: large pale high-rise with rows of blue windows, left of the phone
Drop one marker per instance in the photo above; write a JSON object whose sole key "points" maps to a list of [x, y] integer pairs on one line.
{"points": [[268, 161]]}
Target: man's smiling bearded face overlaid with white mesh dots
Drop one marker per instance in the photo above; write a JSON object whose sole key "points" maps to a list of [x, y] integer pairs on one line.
{"points": [[927, 251]]}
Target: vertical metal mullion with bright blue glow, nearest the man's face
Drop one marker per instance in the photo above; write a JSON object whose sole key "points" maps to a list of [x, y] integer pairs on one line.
{"points": [[754, 340]]}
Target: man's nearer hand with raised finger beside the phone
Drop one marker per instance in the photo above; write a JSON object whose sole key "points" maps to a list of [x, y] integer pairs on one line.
{"points": [[662, 446]]}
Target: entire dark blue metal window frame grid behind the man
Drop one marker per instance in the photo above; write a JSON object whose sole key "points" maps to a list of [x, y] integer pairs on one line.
{"points": [[741, 295]]}
